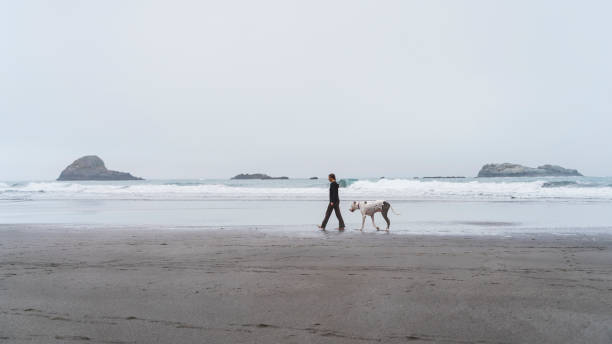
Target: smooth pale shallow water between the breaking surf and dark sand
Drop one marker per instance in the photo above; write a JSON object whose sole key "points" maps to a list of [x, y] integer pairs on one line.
{"points": [[417, 217]]}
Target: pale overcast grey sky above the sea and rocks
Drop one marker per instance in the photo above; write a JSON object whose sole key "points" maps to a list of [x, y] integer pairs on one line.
{"points": [[204, 89]]}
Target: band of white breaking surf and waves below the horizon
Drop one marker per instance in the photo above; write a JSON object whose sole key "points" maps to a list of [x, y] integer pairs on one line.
{"points": [[390, 189]]}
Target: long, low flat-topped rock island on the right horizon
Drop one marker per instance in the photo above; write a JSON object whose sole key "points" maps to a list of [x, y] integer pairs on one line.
{"points": [[515, 170]]}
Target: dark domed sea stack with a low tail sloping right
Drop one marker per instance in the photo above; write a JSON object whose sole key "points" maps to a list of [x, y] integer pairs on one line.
{"points": [[91, 167]]}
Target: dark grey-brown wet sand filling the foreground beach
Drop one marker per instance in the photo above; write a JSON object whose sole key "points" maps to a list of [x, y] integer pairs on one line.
{"points": [[136, 285]]}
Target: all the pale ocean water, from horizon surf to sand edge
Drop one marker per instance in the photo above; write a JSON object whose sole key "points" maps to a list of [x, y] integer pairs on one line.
{"points": [[563, 205]]}
